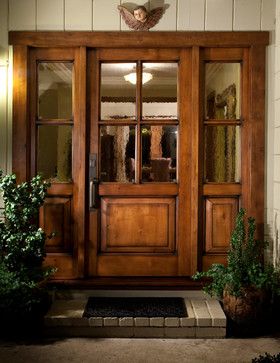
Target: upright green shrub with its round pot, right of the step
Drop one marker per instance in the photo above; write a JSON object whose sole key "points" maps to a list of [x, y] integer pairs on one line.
{"points": [[246, 286]]}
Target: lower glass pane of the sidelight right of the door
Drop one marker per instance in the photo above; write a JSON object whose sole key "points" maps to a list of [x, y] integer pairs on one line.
{"points": [[222, 154]]}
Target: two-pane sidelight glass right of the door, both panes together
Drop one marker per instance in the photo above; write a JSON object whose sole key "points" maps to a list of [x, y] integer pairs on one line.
{"points": [[222, 108]]}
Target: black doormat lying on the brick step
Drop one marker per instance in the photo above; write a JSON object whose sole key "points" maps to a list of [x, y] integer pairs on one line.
{"points": [[135, 307]]}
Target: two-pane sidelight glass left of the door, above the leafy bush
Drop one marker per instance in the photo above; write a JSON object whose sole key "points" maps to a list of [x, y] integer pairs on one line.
{"points": [[54, 120]]}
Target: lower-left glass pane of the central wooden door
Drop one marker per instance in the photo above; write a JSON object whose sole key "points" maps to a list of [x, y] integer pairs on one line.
{"points": [[117, 154]]}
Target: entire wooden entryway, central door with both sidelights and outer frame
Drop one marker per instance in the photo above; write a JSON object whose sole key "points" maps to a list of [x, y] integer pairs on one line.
{"points": [[152, 141]]}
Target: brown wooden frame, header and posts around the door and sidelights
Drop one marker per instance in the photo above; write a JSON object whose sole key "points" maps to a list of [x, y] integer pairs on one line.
{"points": [[252, 188]]}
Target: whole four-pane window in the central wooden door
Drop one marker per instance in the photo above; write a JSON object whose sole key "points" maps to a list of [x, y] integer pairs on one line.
{"points": [[135, 152]]}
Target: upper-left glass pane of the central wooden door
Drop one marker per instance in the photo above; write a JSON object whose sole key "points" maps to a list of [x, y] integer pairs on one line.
{"points": [[118, 91]]}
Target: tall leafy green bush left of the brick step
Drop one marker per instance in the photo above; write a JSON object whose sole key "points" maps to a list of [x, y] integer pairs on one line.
{"points": [[23, 297]]}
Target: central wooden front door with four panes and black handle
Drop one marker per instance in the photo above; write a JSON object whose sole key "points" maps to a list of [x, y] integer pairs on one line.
{"points": [[139, 174]]}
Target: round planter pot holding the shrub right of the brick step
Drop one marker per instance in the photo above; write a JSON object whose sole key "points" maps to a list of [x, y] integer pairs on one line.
{"points": [[247, 314]]}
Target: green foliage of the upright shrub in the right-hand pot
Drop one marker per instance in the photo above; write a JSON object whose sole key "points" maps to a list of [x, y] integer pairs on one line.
{"points": [[245, 266]]}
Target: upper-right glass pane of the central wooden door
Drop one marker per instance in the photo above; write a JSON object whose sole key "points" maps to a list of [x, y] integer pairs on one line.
{"points": [[160, 90]]}
